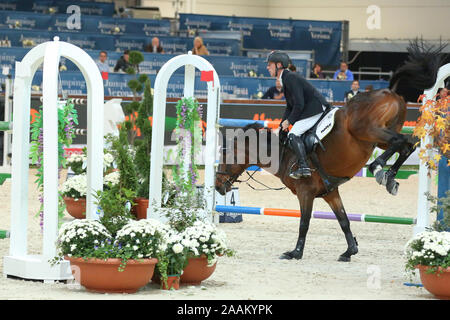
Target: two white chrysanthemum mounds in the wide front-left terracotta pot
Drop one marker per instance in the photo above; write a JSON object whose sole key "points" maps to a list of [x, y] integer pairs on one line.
{"points": [[91, 239]]}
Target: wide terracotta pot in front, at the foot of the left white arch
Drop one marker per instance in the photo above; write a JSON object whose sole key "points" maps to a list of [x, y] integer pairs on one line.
{"points": [[103, 276]]}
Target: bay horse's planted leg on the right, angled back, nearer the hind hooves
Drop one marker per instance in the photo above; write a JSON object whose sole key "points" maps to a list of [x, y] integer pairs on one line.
{"points": [[335, 202]]}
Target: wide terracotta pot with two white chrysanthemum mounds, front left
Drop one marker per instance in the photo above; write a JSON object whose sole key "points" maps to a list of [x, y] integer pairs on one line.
{"points": [[106, 263]]}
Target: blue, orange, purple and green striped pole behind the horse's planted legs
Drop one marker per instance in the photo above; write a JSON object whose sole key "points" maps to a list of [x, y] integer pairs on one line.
{"points": [[316, 214]]}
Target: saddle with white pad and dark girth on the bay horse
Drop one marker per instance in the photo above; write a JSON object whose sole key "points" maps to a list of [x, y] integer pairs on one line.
{"points": [[312, 138]]}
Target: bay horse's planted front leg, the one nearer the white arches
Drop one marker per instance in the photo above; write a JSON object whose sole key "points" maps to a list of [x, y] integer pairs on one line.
{"points": [[306, 203]]}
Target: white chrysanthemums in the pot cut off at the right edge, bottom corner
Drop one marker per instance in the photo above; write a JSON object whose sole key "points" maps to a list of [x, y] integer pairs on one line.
{"points": [[428, 248]]}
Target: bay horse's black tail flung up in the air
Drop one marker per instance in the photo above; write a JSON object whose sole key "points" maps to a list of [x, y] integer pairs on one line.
{"points": [[421, 68]]}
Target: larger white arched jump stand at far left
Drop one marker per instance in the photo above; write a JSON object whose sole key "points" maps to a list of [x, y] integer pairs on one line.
{"points": [[19, 263]]}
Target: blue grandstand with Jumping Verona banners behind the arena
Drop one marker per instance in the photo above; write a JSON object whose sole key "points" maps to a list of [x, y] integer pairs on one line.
{"points": [[237, 45]]}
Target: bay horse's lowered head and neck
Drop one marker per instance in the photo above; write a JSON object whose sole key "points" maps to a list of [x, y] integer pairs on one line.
{"points": [[236, 157]]}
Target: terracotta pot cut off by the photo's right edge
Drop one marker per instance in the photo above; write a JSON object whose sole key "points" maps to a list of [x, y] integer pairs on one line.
{"points": [[436, 283]]}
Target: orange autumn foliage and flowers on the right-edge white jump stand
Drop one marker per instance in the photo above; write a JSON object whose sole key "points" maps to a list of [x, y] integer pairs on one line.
{"points": [[434, 122]]}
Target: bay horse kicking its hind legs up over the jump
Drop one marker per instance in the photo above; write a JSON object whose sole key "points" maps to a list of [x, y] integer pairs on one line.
{"points": [[368, 120]]}
